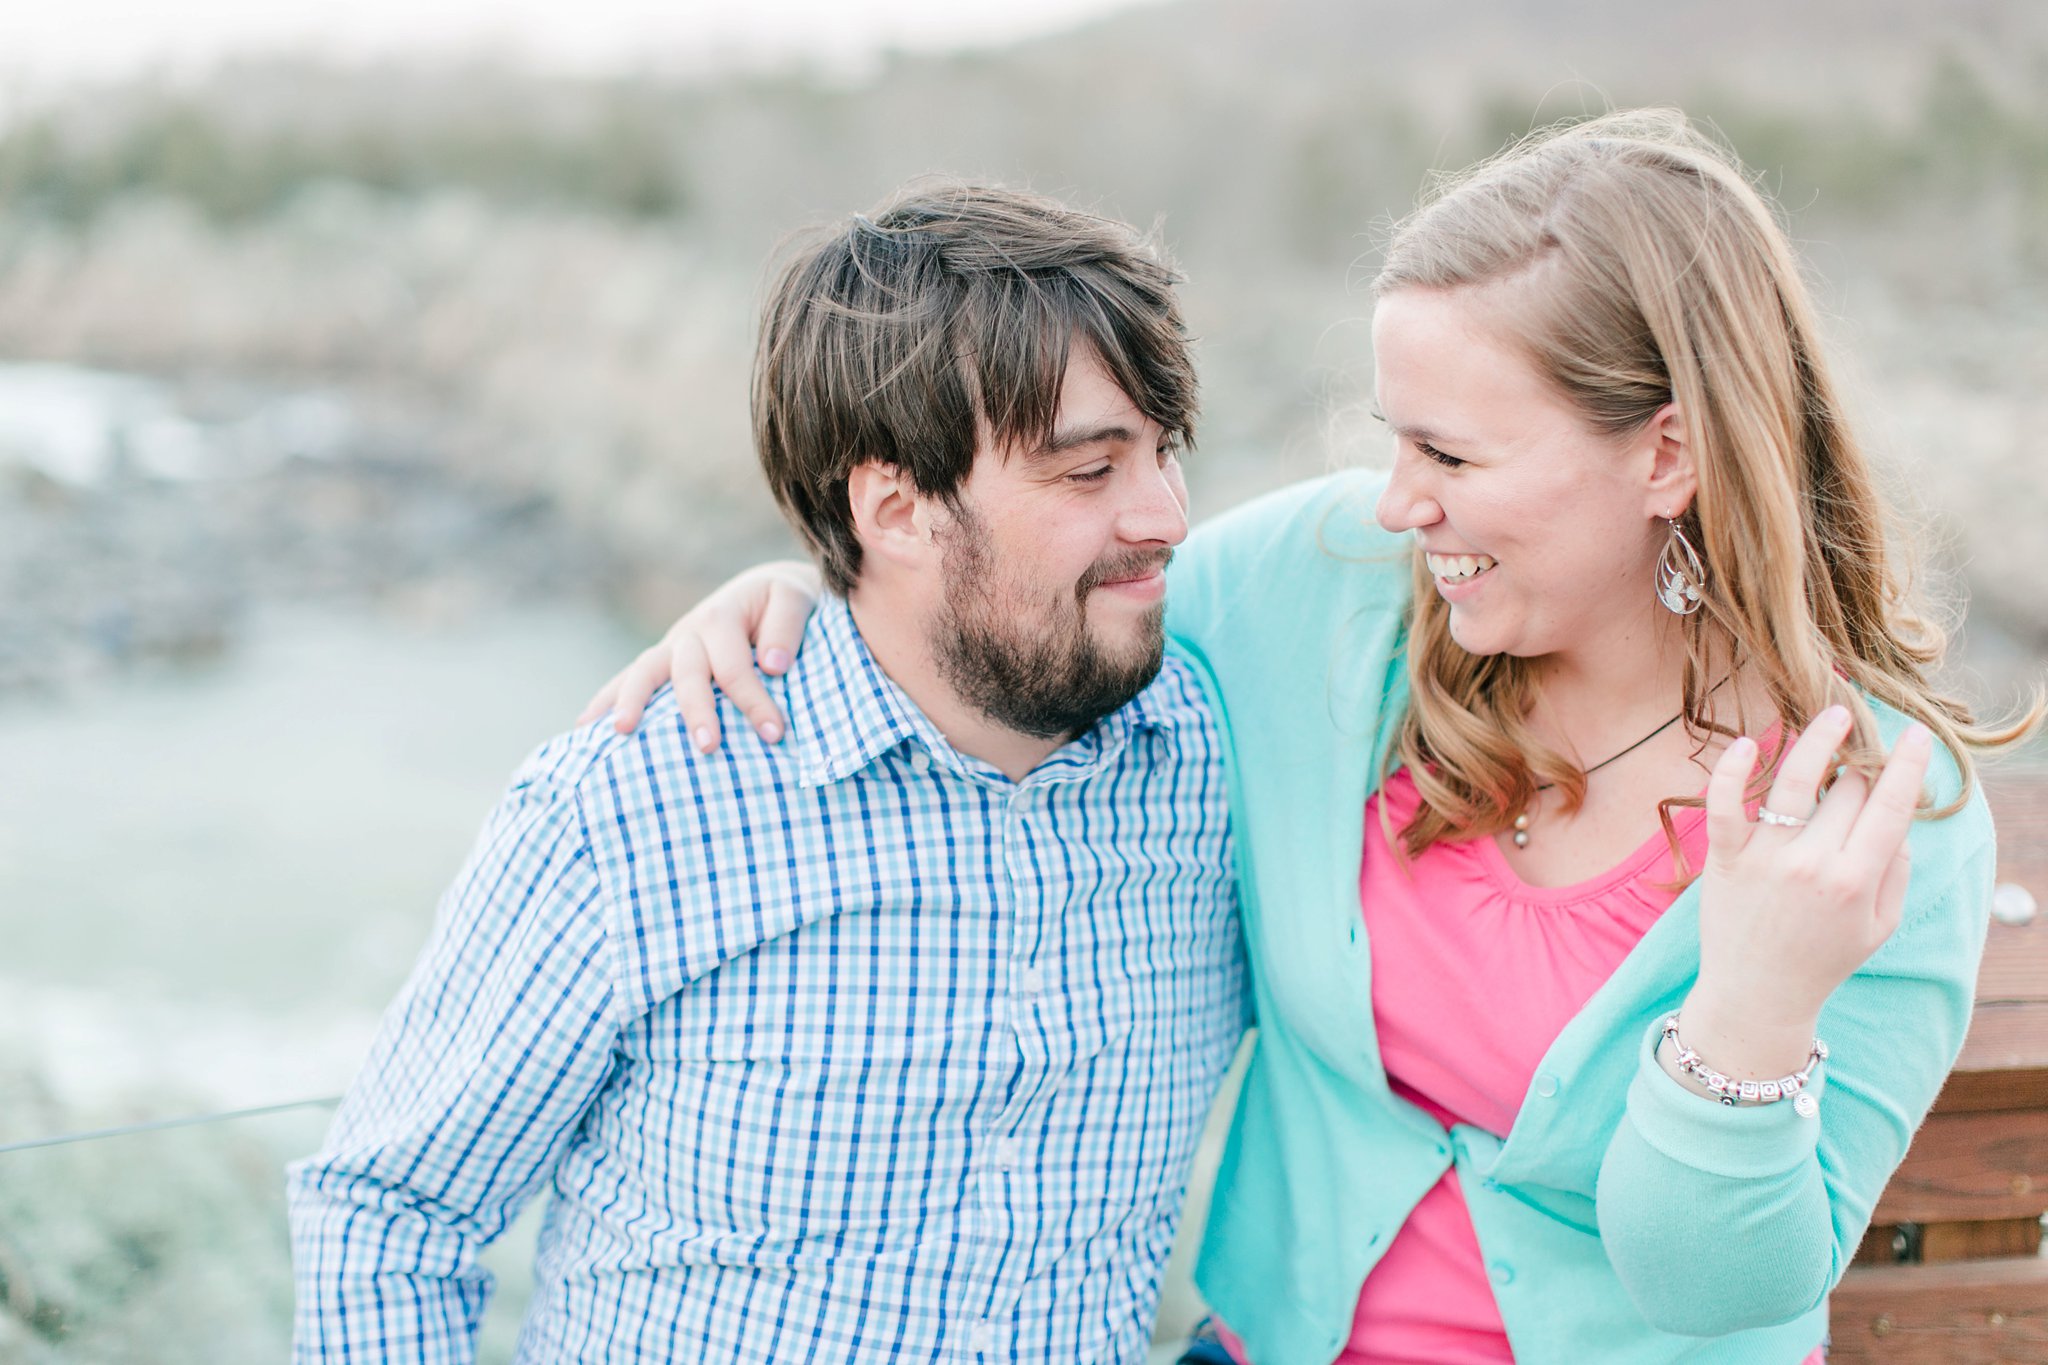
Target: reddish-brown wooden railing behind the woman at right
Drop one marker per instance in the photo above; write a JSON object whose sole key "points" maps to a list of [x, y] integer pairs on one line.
{"points": [[1951, 1272]]}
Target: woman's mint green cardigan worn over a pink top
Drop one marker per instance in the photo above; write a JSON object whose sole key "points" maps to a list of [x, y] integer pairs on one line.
{"points": [[1623, 1219]]}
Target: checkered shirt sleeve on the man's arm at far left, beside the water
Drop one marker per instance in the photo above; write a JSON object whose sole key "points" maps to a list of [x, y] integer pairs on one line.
{"points": [[480, 1075]]}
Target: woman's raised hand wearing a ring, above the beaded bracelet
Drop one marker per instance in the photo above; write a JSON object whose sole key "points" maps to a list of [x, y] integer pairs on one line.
{"points": [[1787, 914]]}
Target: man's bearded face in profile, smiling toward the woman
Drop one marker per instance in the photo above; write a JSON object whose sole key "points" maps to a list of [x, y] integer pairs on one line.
{"points": [[1056, 564]]}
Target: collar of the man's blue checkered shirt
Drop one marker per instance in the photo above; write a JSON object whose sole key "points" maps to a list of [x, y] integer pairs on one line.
{"points": [[845, 713]]}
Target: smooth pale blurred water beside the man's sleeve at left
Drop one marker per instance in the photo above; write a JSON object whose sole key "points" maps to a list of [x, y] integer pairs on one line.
{"points": [[212, 879]]}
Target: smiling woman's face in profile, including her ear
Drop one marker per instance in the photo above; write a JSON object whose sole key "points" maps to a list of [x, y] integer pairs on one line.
{"points": [[1539, 531]]}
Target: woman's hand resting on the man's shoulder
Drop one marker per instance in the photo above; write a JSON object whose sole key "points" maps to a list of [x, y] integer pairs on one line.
{"points": [[755, 619]]}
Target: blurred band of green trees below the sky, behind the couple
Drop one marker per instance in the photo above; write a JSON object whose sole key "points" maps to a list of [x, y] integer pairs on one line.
{"points": [[1308, 177]]}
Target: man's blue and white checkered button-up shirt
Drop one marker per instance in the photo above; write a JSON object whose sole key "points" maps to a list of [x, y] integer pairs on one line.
{"points": [[845, 1051]]}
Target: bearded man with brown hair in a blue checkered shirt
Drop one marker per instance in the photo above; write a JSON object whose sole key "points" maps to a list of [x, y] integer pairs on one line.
{"points": [[892, 1041]]}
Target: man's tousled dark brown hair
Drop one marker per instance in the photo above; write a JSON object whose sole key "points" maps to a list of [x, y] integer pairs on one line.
{"points": [[947, 314]]}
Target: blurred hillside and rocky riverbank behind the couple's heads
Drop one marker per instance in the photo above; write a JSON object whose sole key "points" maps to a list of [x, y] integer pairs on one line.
{"points": [[417, 314]]}
